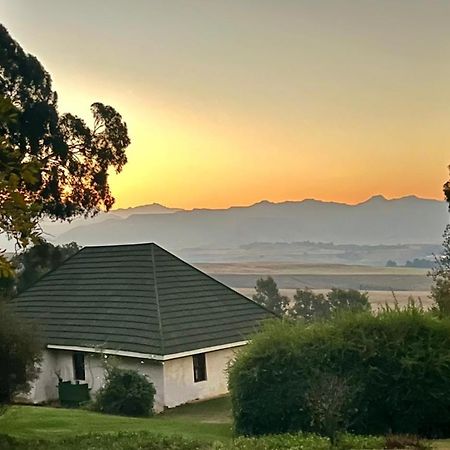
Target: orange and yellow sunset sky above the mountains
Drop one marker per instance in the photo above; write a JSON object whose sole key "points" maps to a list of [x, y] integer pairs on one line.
{"points": [[232, 102]]}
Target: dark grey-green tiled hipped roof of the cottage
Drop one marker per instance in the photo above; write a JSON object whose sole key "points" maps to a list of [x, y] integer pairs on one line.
{"points": [[136, 298]]}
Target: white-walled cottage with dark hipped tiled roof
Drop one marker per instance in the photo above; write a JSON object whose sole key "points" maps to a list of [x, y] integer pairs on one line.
{"points": [[150, 310]]}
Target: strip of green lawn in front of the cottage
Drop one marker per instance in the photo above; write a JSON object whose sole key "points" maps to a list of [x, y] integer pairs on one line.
{"points": [[208, 421]]}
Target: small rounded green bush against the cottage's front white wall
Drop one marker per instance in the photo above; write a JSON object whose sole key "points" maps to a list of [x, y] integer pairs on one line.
{"points": [[126, 392]]}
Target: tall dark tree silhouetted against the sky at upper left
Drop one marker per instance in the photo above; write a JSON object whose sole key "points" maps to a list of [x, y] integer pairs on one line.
{"points": [[69, 162]]}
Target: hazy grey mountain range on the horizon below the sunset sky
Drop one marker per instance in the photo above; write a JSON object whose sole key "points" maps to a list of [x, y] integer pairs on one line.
{"points": [[407, 220]]}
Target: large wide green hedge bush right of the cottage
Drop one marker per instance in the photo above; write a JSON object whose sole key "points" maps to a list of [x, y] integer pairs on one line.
{"points": [[397, 365]]}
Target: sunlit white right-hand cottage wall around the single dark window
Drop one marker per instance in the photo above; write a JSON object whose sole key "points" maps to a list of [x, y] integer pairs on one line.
{"points": [[179, 378]]}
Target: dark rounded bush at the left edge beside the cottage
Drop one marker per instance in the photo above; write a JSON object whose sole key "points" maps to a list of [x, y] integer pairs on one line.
{"points": [[19, 355]]}
